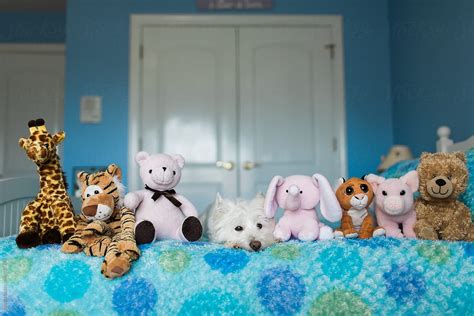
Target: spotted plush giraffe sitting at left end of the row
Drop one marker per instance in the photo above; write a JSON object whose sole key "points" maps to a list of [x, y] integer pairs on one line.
{"points": [[48, 219]]}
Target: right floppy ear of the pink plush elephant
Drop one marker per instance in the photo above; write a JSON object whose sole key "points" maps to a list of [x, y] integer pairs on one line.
{"points": [[330, 208]]}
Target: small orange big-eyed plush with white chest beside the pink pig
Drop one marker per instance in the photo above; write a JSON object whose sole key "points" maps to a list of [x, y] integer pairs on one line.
{"points": [[355, 196]]}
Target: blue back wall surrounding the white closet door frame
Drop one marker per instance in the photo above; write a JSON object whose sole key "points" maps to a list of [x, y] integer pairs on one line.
{"points": [[98, 64]]}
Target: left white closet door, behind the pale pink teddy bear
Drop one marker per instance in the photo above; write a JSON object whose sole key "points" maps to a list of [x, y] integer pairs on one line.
{"points": [[189, 105]]}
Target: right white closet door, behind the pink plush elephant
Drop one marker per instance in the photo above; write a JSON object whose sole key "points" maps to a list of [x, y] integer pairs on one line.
{"points": [[288, 122]]}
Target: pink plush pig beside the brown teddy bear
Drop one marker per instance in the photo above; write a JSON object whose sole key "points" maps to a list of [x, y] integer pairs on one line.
{"points": [[394, 203]]}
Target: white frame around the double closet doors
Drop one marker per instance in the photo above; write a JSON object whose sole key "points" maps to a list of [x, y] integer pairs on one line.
{"points": [[139, 21]]}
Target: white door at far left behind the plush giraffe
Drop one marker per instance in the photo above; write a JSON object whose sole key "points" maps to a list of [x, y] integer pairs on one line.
{"points": [[31, 87]]}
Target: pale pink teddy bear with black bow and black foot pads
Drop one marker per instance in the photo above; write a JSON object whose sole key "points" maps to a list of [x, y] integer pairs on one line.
{"points": [[160, 212]]}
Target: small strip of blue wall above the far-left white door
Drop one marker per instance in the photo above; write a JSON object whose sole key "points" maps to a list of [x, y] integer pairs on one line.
{"points": [[32, 27]]}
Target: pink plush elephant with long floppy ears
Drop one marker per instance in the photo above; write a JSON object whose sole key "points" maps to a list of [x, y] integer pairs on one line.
{"points": [[298, 196]]}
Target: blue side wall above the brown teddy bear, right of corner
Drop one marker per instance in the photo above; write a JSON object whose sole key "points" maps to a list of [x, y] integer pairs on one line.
{"points": [[432, 70]]}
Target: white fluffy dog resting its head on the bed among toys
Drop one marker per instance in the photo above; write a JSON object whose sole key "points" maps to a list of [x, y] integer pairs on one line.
{"points": [[239, 223]]}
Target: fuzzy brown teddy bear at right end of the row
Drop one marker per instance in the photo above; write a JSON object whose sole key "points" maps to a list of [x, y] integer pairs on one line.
{"points": [[439, 215]]}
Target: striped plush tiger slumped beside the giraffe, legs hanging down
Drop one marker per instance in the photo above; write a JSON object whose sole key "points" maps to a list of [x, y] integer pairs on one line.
{"points": [[105, 227]]}
